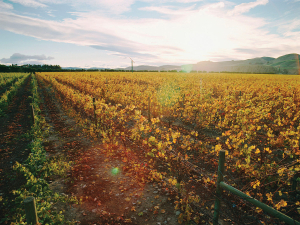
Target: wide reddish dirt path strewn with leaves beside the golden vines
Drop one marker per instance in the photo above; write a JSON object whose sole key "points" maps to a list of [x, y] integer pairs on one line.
{"points": [[110, 195]]}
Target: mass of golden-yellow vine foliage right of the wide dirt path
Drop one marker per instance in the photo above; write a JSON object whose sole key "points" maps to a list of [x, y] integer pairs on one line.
{"points": [[190, 117]]}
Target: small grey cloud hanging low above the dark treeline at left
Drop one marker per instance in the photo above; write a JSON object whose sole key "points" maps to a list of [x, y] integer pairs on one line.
{"points": [[18, 58]]}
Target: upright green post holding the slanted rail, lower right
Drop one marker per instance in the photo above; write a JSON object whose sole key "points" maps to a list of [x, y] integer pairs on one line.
{"points": [[221, 169]]}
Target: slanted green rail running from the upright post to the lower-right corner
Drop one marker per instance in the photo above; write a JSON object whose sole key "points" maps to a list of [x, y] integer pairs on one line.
{"points": [[259, 204]]}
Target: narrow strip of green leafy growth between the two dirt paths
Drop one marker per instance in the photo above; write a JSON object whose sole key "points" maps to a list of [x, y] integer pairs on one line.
{"points": [[37, 170]]}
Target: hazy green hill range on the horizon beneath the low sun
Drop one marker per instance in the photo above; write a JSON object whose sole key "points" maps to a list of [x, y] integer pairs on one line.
{"points": [[286, 64]]}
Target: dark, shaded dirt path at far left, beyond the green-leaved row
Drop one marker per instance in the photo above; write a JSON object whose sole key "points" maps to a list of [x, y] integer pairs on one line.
{"points": [[14, 141]]}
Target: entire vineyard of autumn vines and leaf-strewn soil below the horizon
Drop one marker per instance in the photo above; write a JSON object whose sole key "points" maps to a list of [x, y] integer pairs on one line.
{"points": [[134, 148]]}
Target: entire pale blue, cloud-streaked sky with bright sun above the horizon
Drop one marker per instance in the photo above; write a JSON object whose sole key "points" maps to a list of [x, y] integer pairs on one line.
{"points": [[105, 33]]}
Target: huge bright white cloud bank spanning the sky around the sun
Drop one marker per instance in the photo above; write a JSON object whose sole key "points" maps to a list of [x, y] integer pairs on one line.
{"points": [[187, 35]]}
